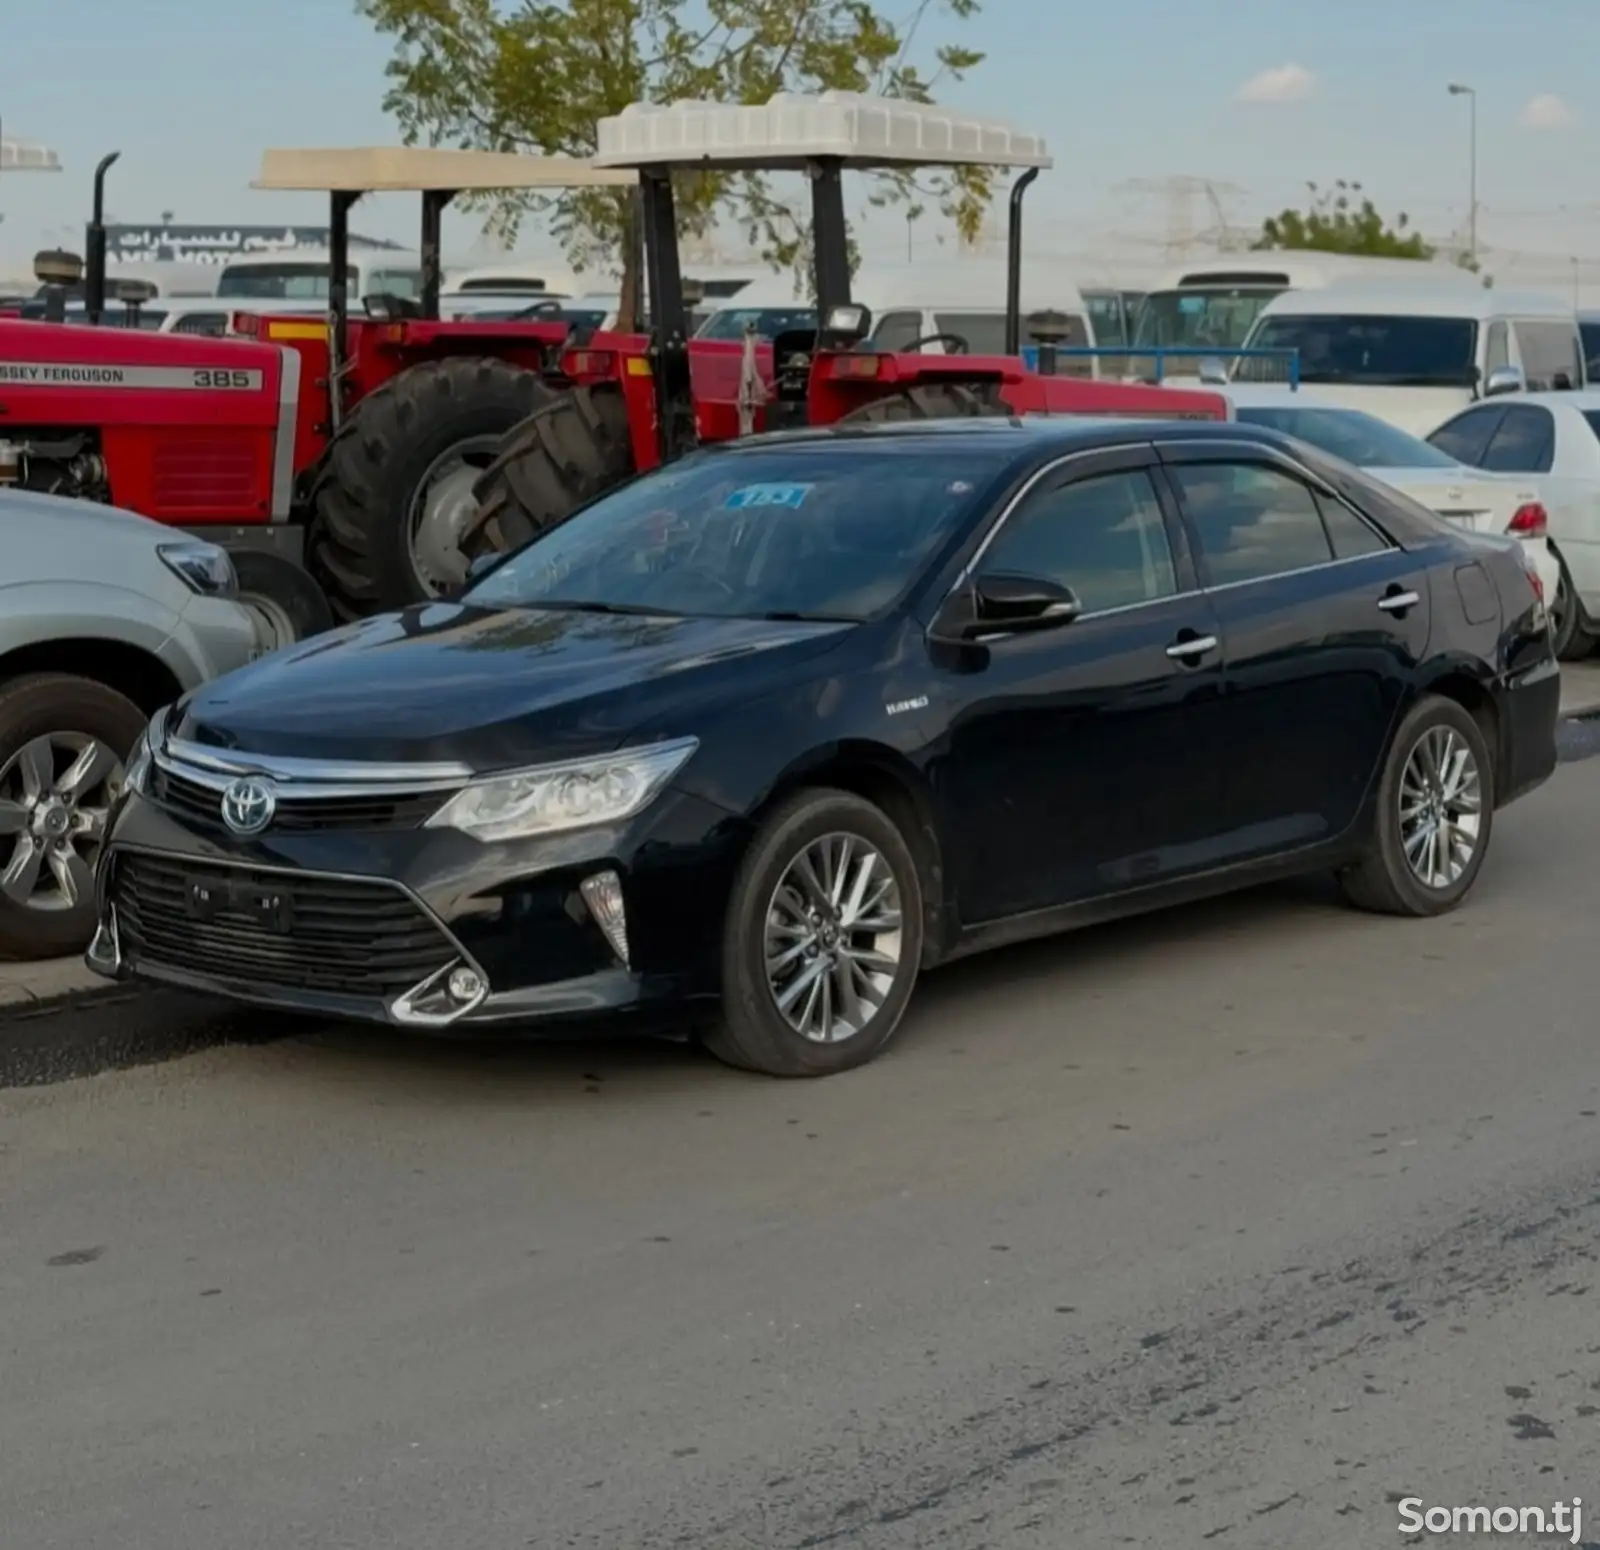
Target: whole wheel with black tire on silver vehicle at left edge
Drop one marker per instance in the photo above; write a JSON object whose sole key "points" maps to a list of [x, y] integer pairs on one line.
{"points": [[57, 716]]}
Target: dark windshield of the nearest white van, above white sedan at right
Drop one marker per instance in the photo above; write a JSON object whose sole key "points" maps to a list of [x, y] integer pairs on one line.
{"points": [[1377, 351]]}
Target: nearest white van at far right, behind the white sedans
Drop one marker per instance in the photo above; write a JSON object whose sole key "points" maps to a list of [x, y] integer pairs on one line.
{"points": [[1415, 356]]}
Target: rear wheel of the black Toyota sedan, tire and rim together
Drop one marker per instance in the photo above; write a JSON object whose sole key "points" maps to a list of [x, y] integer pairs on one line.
{"points": [[1436, 812]]}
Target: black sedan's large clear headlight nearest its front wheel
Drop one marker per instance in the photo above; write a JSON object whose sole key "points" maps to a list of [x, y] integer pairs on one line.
{"points": [[553, 799]]}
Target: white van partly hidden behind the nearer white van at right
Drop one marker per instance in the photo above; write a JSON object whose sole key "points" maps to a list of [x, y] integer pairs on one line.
{"points": [[1215, 305]]}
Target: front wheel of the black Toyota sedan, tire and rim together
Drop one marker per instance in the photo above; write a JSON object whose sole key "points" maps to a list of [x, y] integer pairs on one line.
{"points": [[823, 940]]}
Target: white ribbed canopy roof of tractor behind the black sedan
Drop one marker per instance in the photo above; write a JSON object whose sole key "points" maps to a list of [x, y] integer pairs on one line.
{"points": [[793, 132]]}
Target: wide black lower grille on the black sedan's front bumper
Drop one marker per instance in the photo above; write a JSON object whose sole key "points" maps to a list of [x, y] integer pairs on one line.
{"points": [[282, 930]]}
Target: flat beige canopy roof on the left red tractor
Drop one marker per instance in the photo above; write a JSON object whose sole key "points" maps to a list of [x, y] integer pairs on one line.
{"points": [[423, 170]]}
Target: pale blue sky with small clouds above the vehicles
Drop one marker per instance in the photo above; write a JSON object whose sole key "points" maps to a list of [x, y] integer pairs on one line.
{"points": [[1257, 97]]}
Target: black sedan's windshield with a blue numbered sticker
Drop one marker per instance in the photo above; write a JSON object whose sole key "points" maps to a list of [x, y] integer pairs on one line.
{"points": [[812, 532]]}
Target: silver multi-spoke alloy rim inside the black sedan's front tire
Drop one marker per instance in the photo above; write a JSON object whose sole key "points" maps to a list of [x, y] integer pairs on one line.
{"points": [[833, 938]]}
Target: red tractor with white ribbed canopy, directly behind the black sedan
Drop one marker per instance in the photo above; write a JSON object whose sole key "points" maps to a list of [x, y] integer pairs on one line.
{"points": [[639, 402]]}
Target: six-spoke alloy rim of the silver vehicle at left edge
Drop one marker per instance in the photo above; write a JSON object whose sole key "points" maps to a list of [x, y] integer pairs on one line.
{"points": [[55, 802]]}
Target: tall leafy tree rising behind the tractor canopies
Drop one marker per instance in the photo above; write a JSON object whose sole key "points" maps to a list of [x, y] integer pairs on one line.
{"points": [[535, 78]]}
